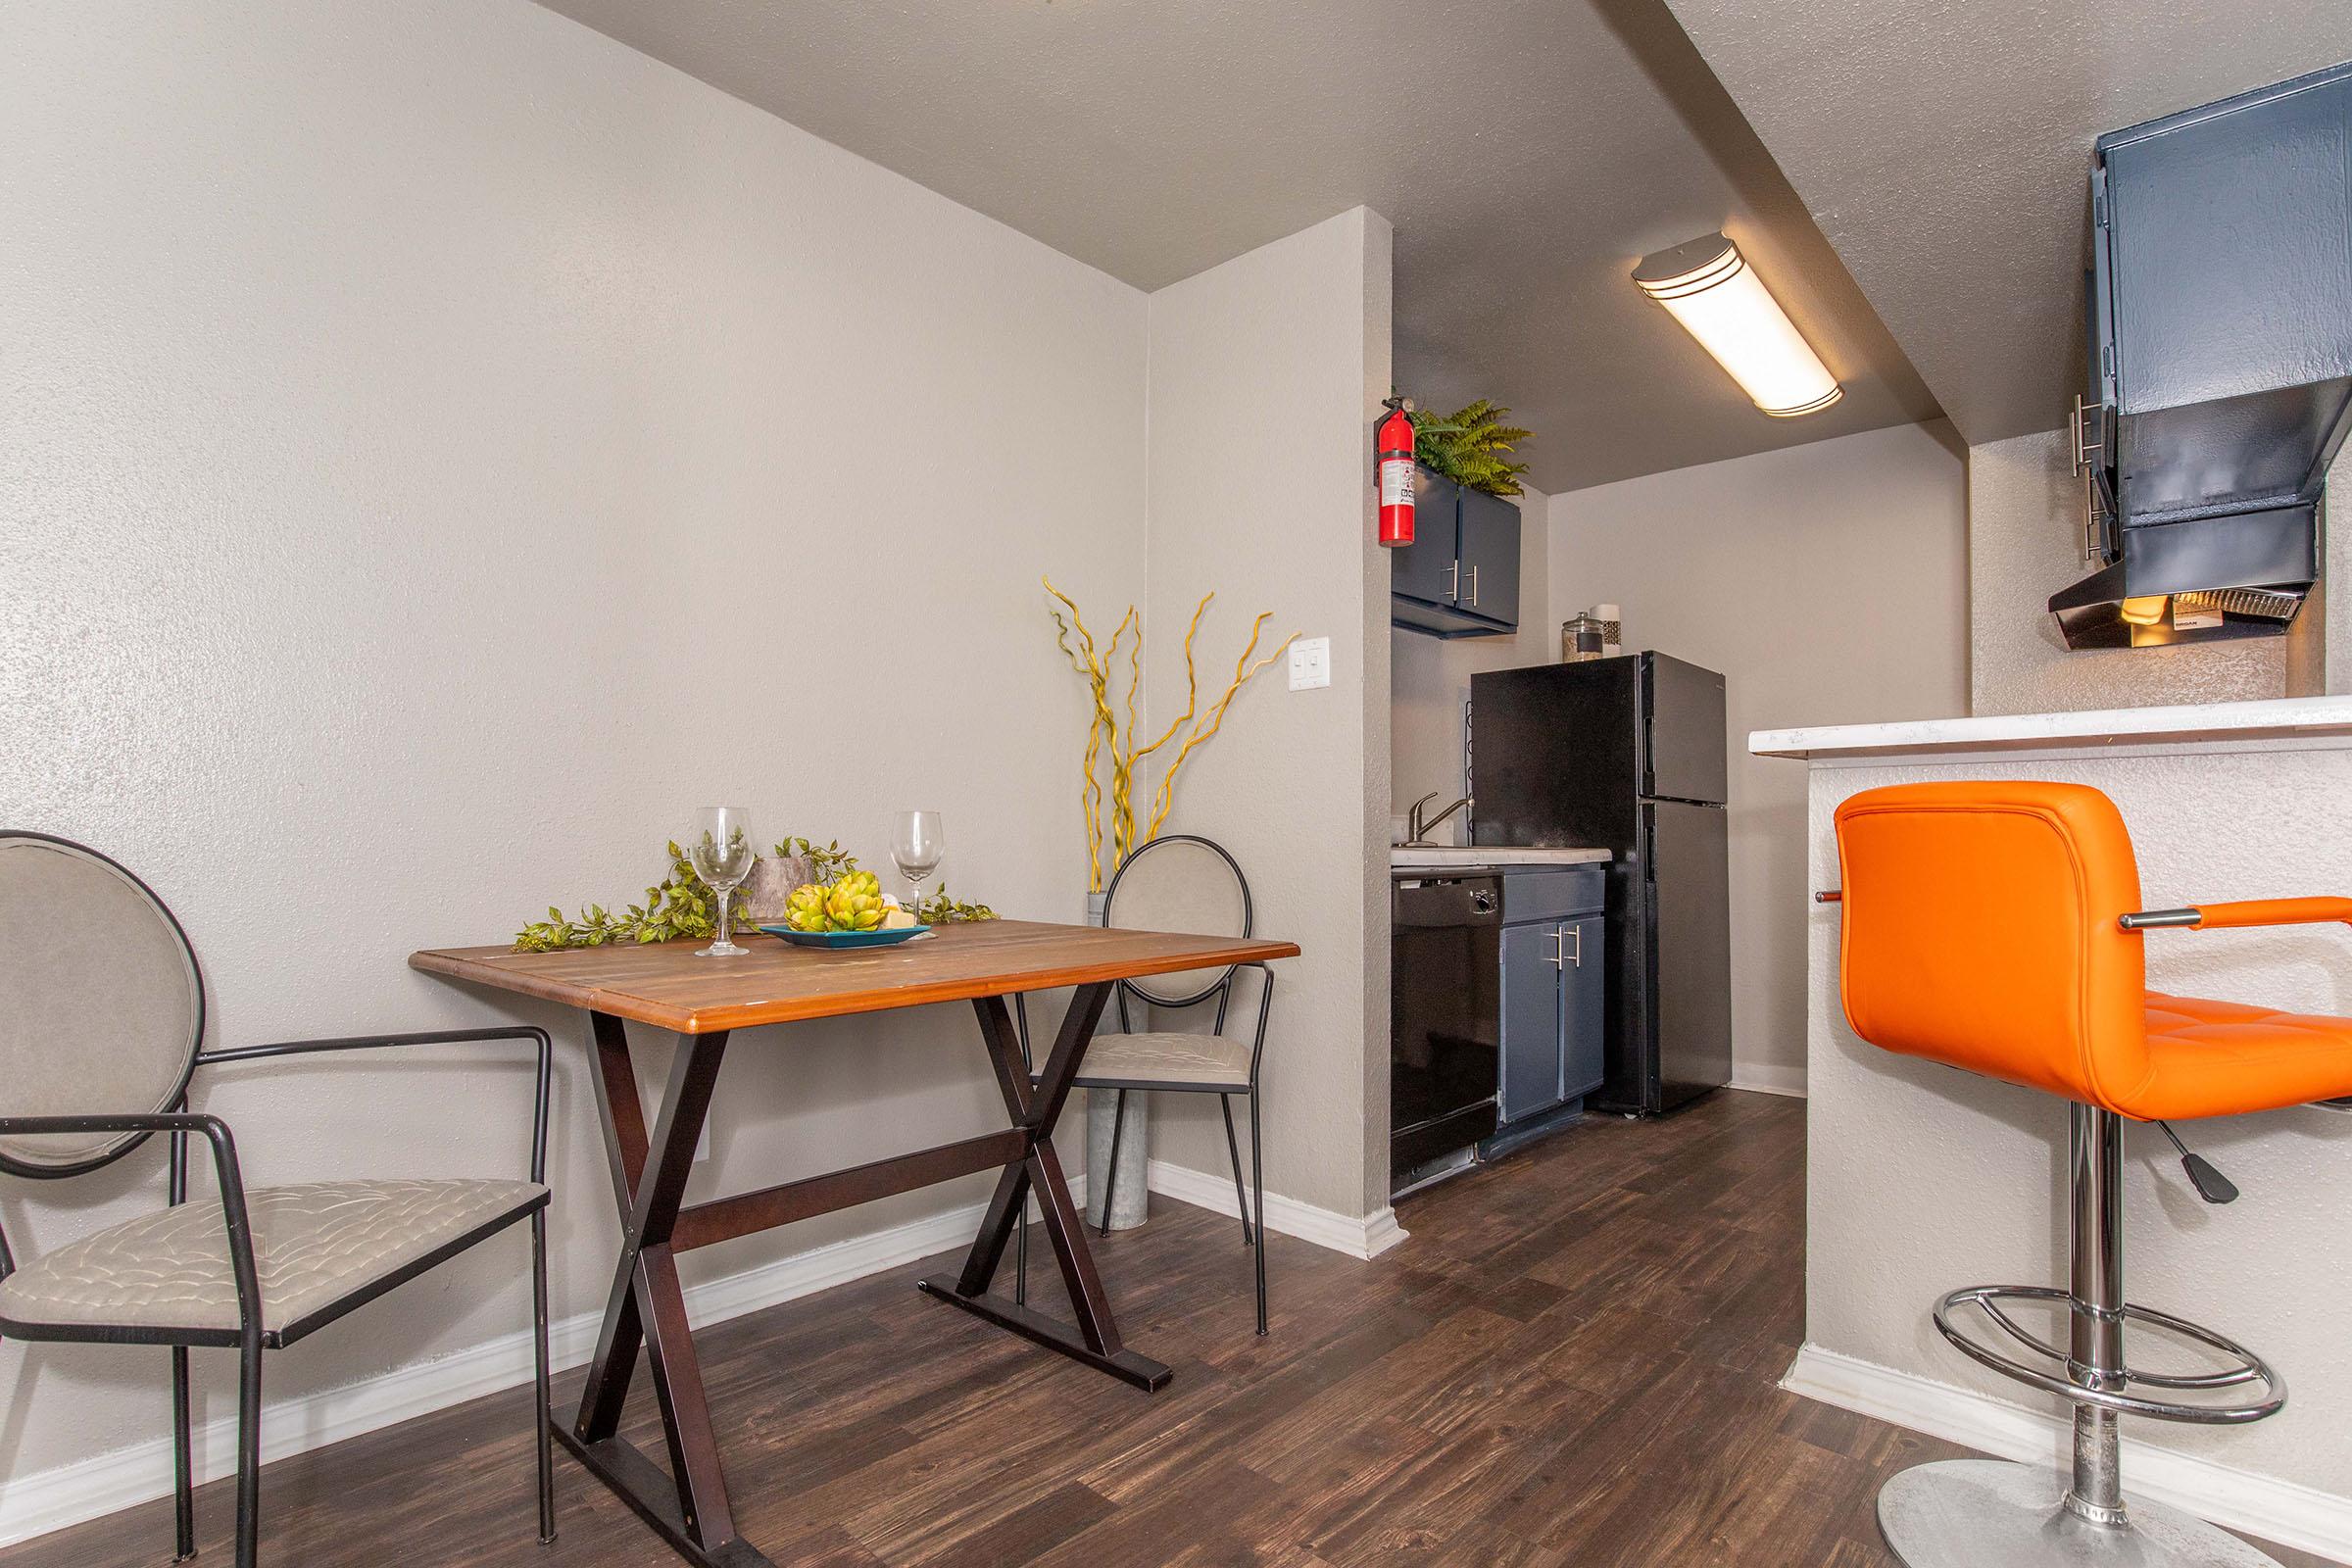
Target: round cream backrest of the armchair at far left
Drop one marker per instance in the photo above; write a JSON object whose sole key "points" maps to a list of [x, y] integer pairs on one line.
{"points": [[102, 1007]]}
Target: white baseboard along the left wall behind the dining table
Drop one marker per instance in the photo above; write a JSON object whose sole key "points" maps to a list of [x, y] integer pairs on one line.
{"points": [[112, 1482]]}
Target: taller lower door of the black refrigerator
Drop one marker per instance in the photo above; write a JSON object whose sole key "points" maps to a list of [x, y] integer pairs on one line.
{"points": [[1690, 951]]}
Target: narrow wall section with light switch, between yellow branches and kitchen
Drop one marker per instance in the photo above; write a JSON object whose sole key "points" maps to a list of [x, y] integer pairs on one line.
{"points": [[1264, 382]]}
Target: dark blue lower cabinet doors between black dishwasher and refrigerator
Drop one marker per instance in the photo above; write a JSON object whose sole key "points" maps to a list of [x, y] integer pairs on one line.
{"points": [[1553, 977]]}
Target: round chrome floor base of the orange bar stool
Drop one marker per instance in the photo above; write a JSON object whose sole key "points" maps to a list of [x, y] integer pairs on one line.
{"points": [[2000, 1515]]}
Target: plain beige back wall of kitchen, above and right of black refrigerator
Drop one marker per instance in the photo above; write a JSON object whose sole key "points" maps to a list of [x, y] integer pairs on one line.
{"points": [[1824, 582]]}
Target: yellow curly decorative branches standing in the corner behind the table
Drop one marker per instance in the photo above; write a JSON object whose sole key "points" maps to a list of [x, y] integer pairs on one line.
{"points": [[1104, 725]]}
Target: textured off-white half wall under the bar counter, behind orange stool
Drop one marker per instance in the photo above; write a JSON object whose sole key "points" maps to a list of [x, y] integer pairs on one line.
{"points": [[1923, 1181]]}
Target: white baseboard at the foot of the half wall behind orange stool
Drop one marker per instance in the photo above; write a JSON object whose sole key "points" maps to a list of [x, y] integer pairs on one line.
{"points": [[2285, 1513]]}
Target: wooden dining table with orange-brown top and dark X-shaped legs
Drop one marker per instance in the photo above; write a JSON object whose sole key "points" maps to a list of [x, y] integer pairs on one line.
{"points": [[707, 1000]]}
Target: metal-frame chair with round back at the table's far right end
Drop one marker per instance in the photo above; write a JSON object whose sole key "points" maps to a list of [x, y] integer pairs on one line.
{"points": [[1154, 1078]]}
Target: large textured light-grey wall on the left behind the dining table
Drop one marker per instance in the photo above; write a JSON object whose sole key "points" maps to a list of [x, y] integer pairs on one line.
{"points": [[443, 448]]}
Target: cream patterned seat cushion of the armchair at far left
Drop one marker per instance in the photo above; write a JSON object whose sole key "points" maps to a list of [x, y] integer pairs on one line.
{"points": [[314, 1247]]}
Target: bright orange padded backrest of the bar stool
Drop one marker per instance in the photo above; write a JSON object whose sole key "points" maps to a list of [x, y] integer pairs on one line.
{"points": [[1982, 932]]}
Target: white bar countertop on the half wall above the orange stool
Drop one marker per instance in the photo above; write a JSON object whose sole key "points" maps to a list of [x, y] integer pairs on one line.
{"points": [[2221, 725]]}
